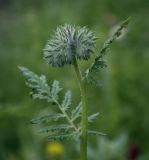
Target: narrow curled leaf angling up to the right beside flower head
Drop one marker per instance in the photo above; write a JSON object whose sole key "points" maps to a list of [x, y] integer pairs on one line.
{"points": [[99, 61]]}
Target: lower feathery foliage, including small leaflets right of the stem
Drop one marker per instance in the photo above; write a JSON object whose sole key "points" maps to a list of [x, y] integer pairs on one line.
{"points": [[41, 90]]}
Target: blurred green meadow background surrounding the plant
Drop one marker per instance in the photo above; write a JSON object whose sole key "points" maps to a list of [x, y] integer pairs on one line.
{"points": [[122, 100]]}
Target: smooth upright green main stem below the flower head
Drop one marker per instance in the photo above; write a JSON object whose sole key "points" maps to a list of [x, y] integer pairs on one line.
{"points": [[83, 145]]}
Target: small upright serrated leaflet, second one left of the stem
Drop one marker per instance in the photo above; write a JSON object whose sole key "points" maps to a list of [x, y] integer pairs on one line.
{"points": [[67, 100]]}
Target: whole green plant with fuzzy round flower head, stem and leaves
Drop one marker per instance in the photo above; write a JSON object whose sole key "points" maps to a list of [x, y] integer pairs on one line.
{"points": [[68, 45]]}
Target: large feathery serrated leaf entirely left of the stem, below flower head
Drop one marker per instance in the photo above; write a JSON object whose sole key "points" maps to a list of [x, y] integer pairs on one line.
{"points": [[41, 90]]}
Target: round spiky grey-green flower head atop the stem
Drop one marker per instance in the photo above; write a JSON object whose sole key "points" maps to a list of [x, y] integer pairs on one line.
{"points": [[67, 43]]}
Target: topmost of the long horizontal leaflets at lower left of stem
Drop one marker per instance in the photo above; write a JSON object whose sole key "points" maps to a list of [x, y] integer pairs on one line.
{"points": [[47, 118]]}
